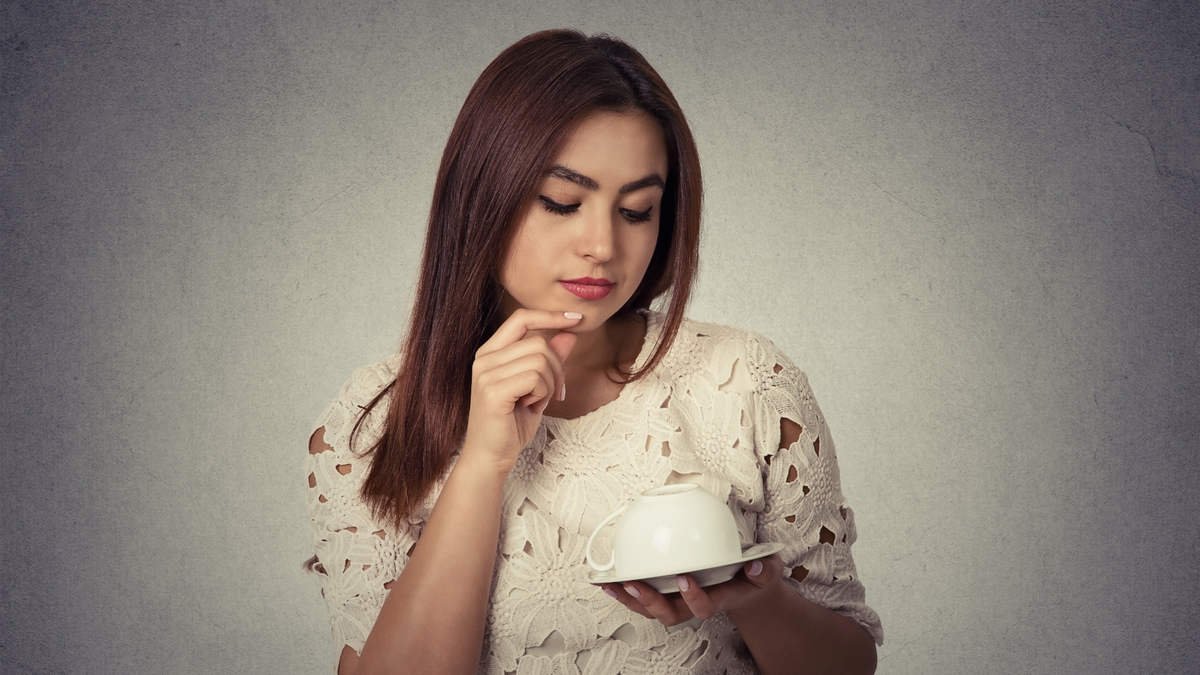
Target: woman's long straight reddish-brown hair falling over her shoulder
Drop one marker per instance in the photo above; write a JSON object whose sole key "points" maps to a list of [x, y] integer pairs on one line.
{"points": [[520, 111]]}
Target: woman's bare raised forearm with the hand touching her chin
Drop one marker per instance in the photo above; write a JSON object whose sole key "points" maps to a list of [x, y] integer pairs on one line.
{"points": [[434, 618]]}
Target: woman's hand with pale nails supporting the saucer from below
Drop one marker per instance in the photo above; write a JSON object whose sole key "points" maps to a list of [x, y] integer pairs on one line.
{"points": [[759, 580]]}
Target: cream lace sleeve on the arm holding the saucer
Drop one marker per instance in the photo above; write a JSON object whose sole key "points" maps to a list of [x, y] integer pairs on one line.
{"points": [[806, 509]]}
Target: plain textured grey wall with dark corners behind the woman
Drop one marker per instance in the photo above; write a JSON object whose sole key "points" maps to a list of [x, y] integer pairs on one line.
{"points": [[975, 225]]}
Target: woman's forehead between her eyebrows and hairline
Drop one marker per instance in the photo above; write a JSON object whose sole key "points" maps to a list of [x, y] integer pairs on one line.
{"points": [[619, 147]]}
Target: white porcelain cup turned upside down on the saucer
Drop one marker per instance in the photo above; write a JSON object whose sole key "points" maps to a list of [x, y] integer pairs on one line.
{"points": [[670, 530]]}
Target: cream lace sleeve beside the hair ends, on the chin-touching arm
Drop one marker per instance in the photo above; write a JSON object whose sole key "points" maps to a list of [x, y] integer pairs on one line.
{"points": [[357, 558]]}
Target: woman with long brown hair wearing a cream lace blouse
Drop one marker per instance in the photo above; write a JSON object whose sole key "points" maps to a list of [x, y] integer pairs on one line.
{"points": [[452, 488]]}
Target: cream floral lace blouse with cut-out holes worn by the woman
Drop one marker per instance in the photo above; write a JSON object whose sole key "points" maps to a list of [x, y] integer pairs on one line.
{"points": [[710, 414]]}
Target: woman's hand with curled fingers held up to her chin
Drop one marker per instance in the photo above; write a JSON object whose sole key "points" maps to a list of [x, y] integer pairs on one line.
{"points": [[513, 380]]}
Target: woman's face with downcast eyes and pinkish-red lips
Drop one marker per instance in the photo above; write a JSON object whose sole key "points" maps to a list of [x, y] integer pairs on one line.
{"points": [[587, 236]]}
